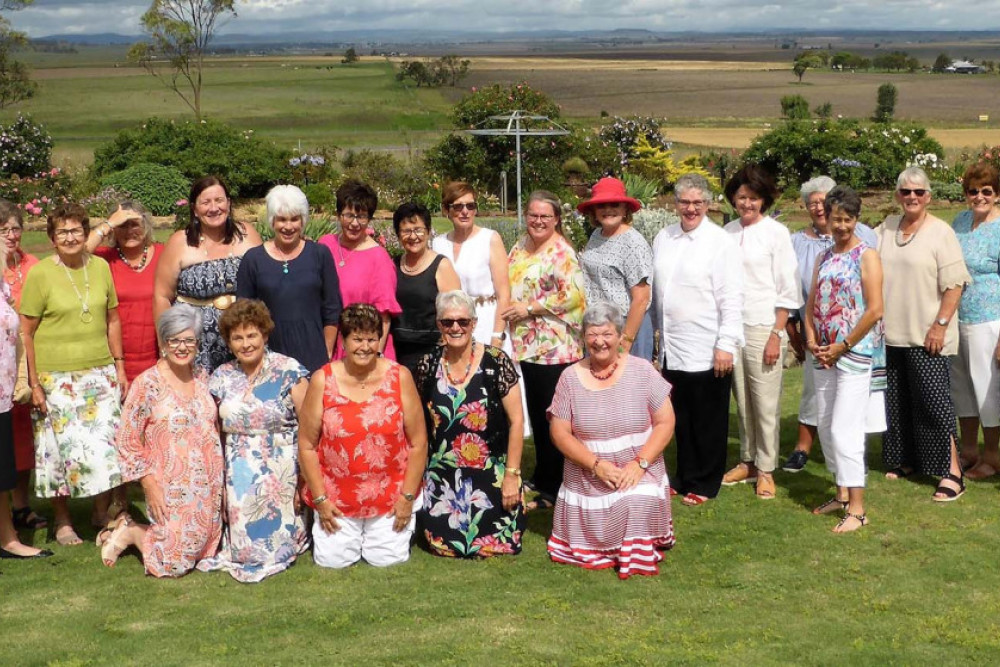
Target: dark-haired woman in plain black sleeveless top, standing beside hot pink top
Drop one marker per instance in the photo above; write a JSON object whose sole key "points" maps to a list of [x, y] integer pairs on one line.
{"points": [[421, 274]]}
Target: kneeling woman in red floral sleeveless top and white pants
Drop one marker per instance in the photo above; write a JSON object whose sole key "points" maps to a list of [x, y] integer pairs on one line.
{"points": [[362, 449]]}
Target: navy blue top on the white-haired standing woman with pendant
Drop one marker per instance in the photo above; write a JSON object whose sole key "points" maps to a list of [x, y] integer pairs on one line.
{"points": [[302, 301]]}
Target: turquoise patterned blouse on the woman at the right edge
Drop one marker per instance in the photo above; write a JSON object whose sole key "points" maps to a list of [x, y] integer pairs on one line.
{"points": [[981, 249]]}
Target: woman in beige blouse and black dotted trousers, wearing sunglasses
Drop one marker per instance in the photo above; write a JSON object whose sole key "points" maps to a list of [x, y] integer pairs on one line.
{"points": [[924, 273]]}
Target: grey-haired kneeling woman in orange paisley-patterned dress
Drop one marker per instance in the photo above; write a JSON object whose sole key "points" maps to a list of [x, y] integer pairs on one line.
{"points": [[169, 442]]}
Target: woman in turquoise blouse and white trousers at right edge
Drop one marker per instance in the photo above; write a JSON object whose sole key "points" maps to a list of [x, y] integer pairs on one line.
{"points": [[975, 376]]}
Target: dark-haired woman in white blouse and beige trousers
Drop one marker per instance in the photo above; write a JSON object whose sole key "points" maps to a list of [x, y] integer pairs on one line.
{"points": [[770, 293]]}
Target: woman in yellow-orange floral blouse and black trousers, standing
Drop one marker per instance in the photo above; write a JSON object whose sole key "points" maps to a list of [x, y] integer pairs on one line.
{"points": [[545, 315]]}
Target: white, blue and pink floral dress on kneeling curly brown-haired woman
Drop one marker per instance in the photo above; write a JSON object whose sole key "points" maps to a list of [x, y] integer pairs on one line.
{"points": [[263, 533]]}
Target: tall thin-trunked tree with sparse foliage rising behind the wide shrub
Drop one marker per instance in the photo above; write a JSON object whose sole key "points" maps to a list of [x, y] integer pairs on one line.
{"points": [[180, 32]]}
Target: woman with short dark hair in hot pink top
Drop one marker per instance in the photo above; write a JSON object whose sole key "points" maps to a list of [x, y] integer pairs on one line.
{"points": [[364, 268]]}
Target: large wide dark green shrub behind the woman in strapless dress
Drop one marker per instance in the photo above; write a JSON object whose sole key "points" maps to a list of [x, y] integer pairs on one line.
{"points": [[250, 166]]}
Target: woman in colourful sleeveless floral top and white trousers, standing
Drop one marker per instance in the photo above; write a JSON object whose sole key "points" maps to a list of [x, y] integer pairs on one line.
{"points": [[843, 332]]}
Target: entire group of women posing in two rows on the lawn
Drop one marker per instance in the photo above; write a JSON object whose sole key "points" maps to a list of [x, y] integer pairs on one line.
{"points": [[238, 380]]}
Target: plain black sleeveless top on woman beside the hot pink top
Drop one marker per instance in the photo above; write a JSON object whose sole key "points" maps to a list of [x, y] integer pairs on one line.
{"points": [[414, 331]]}
